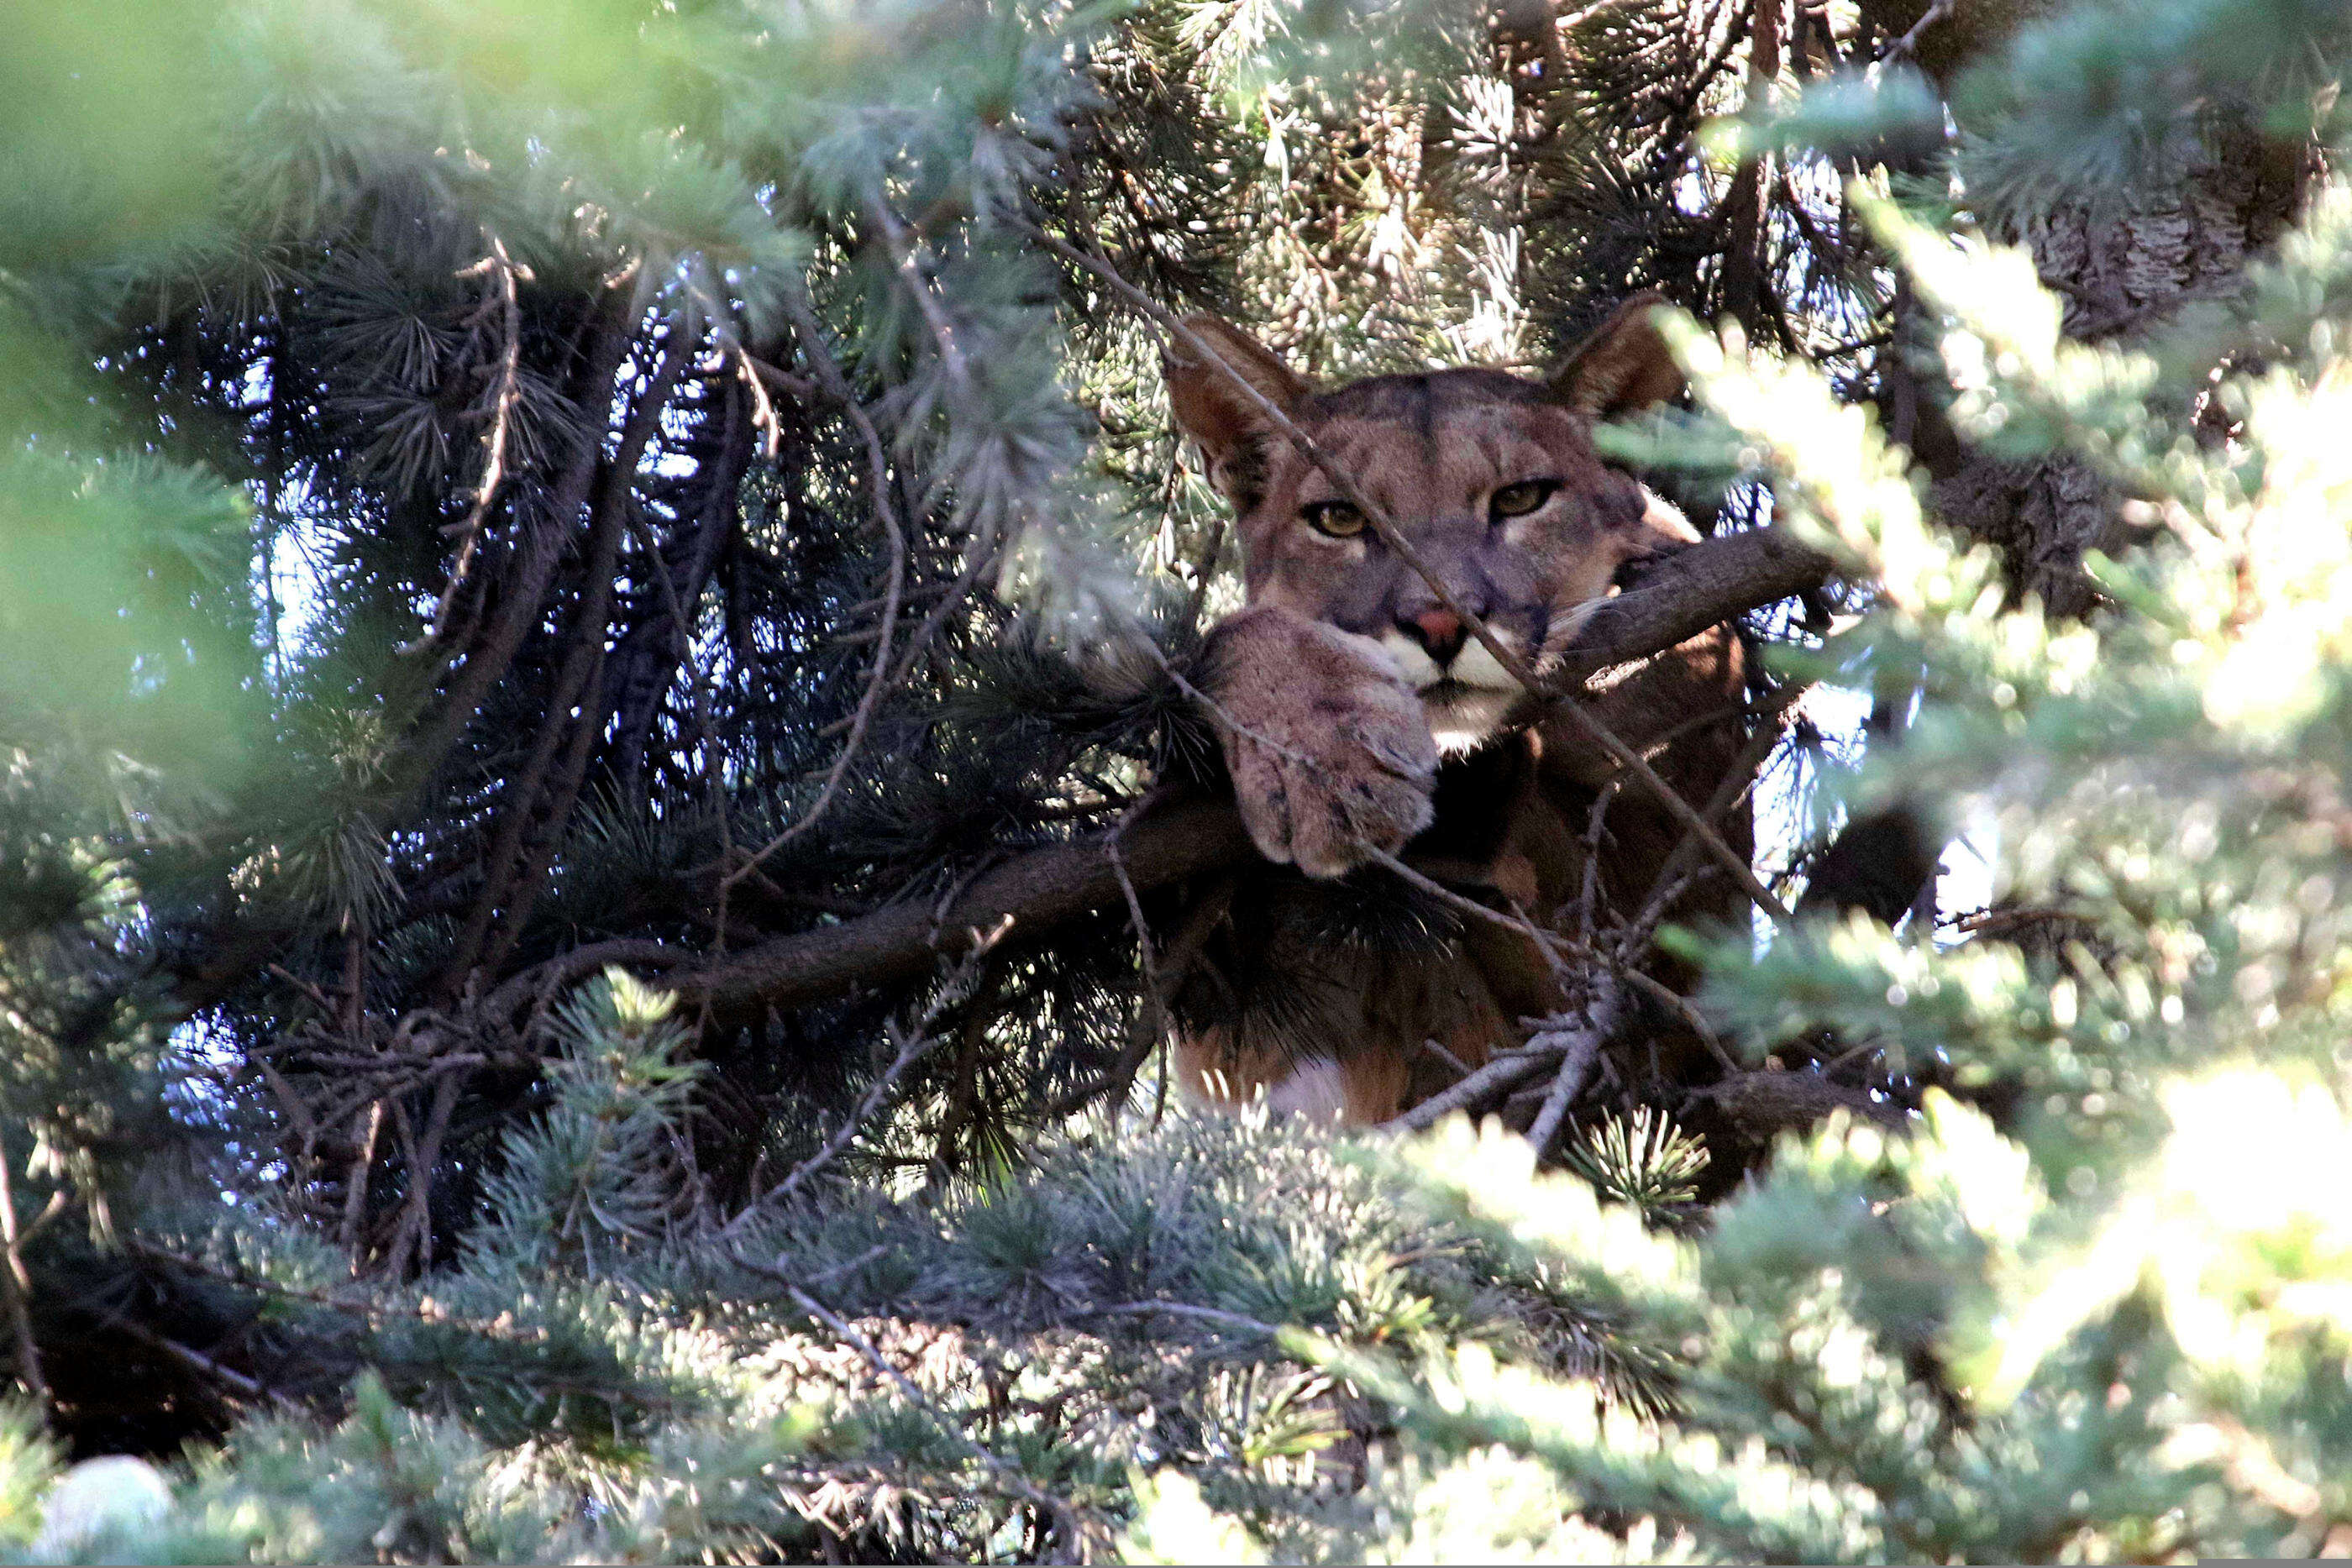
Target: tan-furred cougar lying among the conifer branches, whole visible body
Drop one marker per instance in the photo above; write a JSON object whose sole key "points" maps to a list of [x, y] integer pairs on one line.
{"points": [[1351, 723]]}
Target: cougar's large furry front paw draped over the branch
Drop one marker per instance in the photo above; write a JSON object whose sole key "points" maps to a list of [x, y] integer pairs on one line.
{"points": [[1330, 751]]}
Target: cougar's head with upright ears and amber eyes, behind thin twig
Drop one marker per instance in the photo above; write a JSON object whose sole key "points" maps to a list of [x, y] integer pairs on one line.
{"points": [[1490, 478]]}
